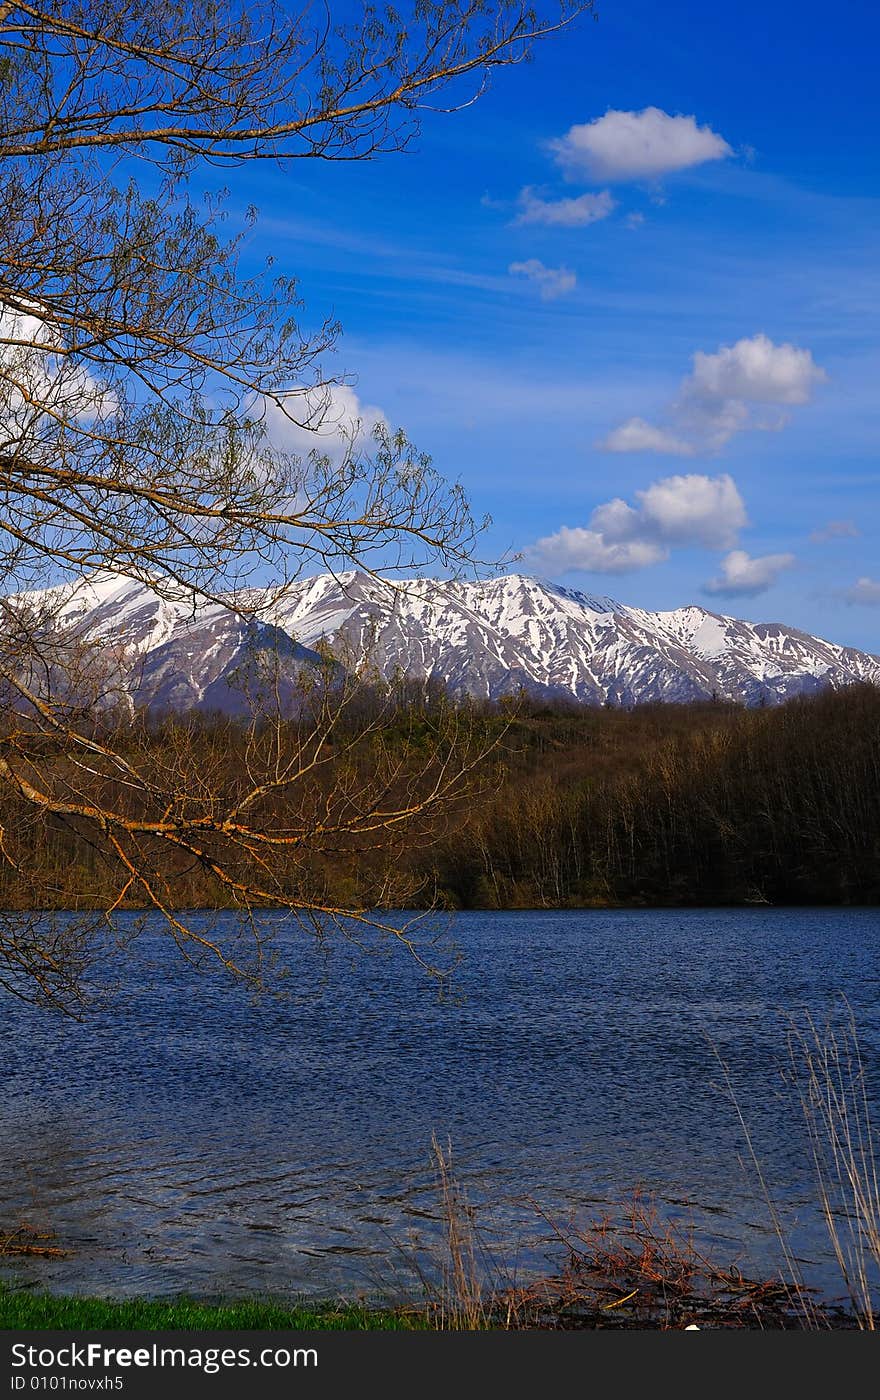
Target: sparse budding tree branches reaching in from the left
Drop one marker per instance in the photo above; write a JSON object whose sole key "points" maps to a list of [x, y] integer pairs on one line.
{"points": [[146, 391]]}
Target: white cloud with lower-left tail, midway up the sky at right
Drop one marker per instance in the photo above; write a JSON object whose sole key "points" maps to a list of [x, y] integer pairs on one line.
{"points": [[720, 398]]}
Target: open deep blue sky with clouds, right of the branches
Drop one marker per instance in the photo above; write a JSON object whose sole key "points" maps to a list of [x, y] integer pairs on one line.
{"points": [[527, 289]]}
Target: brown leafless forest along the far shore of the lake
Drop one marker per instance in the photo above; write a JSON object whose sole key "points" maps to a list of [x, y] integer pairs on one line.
{"points": [[565, 806]]}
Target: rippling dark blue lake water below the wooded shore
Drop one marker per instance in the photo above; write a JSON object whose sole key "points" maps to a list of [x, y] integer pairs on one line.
{"points": [[187, 1139]]}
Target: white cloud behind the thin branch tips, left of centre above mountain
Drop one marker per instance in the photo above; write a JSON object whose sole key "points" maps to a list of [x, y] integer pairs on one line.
{"points": [[329, 421]]}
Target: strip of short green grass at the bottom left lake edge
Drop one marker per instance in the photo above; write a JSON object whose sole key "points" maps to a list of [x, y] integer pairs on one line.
{"points": [[23, 1310]]}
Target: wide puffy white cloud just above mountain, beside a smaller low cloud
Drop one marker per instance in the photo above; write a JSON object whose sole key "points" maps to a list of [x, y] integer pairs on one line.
{"points": [[620, 538]]}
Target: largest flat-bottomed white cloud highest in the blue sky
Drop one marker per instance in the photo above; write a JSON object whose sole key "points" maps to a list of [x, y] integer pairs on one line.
{"points": [[647, 145]]}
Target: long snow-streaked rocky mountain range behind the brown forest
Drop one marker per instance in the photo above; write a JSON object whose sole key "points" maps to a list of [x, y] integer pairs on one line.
{"points": [[485, 639]]}
